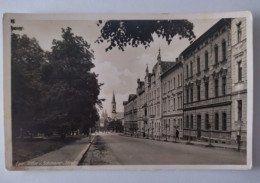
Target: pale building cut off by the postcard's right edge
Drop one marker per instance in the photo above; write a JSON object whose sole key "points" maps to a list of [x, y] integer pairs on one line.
{"points": [[239, 79]]}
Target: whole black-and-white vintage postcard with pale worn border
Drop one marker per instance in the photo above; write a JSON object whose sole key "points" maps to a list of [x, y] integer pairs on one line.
{"points": [[128, 91]]}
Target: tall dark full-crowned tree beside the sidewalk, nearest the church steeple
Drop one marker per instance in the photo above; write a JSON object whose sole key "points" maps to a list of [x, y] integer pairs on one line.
{"points": [[73, 89]]}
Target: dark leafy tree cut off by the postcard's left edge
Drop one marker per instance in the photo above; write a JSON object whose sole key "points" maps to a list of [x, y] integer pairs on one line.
{"points": [[27, 59]]}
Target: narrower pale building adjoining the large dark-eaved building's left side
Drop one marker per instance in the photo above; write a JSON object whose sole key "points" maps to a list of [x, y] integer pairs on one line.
{"points": [[172, 100]]}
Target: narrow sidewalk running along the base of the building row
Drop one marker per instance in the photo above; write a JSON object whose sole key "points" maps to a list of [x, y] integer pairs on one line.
{"points": [[196, 143]]}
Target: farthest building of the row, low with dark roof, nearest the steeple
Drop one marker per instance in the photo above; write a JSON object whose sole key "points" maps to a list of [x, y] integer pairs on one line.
{"points": [[130, 114]]}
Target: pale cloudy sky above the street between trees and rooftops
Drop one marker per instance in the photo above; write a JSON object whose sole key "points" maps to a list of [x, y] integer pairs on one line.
{"points": [[118, 70]]}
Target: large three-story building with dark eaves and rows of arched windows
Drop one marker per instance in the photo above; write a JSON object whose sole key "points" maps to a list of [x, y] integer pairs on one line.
{"points": [[207, 85]]}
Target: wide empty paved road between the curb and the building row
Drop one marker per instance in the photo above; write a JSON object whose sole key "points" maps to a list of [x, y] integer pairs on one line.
{"points": [[116, 149]]}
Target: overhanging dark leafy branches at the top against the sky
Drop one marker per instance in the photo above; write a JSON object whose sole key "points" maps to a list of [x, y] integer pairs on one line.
{"points": [[120, 33]]}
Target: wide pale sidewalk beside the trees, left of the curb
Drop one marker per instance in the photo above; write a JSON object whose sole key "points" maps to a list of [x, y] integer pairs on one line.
{"points": [[68, 155]]}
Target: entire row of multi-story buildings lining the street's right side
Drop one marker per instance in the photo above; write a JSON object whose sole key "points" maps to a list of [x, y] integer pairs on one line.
{"points": [[202, 94]]}
